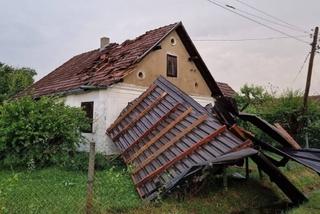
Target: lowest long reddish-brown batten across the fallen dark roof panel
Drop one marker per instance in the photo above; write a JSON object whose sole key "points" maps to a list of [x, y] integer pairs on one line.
{"points": [[187, 152]]}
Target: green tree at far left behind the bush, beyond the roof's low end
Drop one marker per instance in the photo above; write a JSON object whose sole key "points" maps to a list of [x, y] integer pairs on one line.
{"points": [[13, 80]]}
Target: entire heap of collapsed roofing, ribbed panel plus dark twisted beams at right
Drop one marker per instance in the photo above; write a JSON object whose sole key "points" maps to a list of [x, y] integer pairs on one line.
{"points": [[166, 138]]}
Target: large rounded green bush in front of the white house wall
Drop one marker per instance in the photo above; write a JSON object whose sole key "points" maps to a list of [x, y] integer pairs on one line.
{"points": [[38, 133]]}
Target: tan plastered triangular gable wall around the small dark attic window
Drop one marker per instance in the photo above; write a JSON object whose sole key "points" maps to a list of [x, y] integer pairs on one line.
{"points": [[154, 64]]}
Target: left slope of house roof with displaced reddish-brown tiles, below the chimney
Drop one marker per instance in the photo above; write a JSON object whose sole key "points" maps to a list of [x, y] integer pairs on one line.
{"points": [[98, 68]]}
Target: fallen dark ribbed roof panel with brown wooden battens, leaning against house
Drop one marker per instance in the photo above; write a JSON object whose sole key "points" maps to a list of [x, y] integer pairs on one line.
{"points": [[164, 133]]}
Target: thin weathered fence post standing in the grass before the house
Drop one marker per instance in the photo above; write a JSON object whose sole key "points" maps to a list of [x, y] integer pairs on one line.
{"points": [[89, 205]]}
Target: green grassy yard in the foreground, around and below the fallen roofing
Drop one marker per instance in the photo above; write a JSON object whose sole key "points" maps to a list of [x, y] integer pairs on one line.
{"points": [[53, 190]]}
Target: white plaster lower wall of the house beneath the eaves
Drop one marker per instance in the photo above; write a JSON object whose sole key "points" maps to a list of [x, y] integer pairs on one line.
{"points": [[108, 103]]}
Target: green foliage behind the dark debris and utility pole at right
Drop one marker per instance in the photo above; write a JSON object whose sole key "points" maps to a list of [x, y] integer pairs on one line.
{"points": [[285, 109]]}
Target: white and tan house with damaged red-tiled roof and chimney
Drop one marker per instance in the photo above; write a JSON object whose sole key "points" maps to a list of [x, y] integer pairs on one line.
{"points": [[102, 81]]}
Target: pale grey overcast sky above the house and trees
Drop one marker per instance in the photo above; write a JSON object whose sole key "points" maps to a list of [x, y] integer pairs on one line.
{"points": [[44, 34]]}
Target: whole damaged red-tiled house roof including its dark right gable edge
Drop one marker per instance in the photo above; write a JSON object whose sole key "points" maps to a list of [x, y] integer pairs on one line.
{"points": [[102, 68]]}
